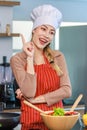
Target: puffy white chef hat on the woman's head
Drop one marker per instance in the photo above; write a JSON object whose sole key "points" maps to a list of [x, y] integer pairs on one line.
{"points": [[46, 14]]}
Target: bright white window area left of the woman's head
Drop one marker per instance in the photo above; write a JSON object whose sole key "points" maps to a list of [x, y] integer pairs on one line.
{"points": [[23, 27]]}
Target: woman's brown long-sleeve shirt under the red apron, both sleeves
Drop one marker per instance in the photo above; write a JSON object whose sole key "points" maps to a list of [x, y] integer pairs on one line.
{"points": [[27, 81]]}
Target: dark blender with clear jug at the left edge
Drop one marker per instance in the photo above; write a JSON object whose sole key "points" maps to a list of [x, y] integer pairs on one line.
{"points": [[7, 94]]}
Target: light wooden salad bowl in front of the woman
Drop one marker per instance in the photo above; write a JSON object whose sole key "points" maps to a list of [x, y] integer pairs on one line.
{"points": [[60, 122]]}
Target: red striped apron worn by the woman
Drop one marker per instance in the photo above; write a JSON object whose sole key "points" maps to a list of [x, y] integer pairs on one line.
{"points": [[47, 81]]}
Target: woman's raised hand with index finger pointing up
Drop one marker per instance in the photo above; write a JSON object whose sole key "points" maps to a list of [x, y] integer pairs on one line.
{"points": [[28, 47]]}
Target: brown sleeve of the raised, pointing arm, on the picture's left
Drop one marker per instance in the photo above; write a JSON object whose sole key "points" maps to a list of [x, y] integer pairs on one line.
{"points": [[26, 81]]}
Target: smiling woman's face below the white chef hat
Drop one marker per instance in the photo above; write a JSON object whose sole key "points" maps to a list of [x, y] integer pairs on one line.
{"points": [[43, 35]]}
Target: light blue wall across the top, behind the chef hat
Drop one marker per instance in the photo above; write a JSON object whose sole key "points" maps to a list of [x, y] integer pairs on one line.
{"points": [[73, 10]]}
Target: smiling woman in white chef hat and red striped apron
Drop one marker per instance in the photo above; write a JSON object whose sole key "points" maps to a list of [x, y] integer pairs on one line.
{"points": [[40, 72]]}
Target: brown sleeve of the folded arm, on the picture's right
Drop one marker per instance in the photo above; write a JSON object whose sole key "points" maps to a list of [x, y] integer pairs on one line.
{"points": [[65, 90]]}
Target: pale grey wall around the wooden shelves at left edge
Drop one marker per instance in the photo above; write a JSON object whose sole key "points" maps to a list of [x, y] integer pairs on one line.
{"points": [[6, 17]]}
